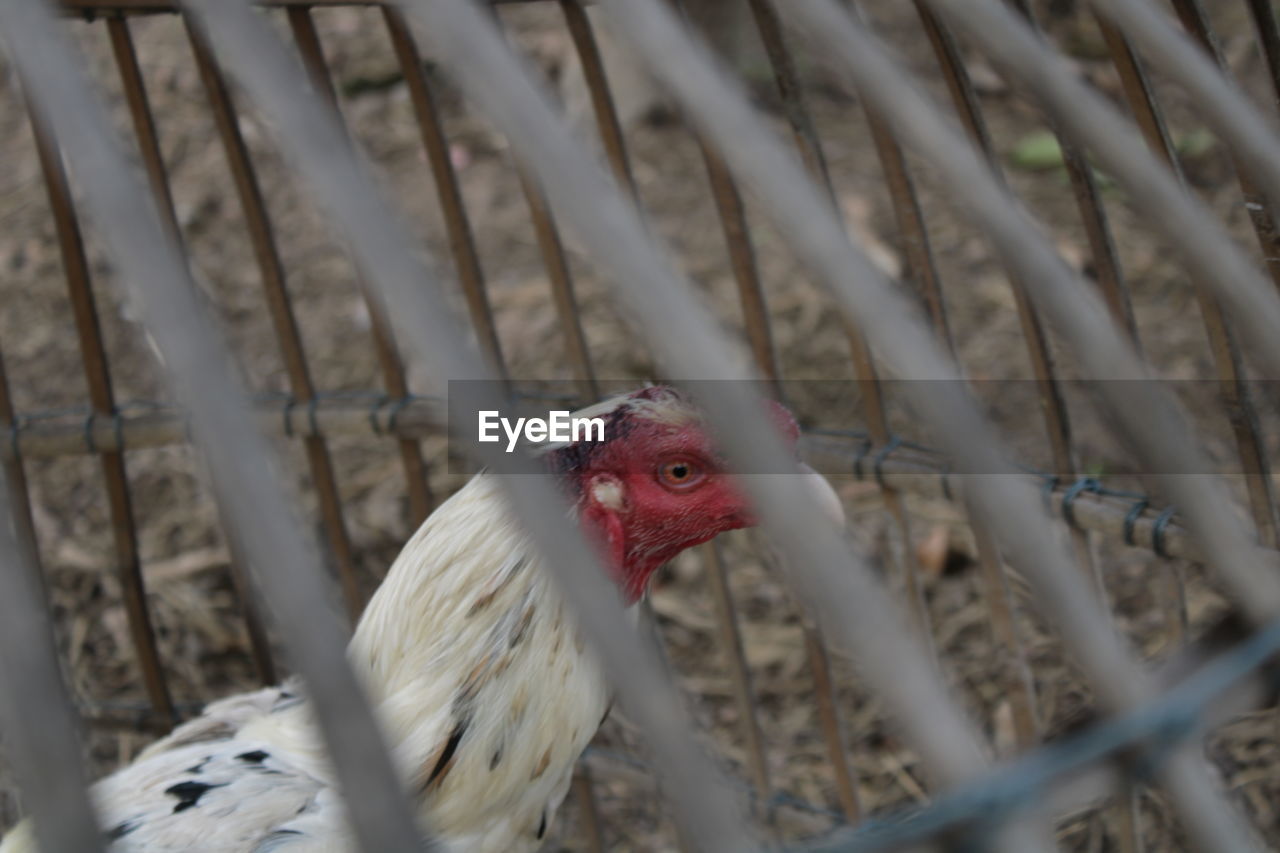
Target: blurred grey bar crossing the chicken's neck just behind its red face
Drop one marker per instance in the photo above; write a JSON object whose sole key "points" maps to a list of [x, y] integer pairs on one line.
{"points": [[322, 152]]}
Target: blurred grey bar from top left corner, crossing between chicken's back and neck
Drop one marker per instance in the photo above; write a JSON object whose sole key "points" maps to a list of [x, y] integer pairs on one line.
{"points": [[282, 556]]}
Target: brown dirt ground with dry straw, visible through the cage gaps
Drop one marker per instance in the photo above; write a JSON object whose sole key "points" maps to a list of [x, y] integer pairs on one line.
{"points": [[196, 612]]}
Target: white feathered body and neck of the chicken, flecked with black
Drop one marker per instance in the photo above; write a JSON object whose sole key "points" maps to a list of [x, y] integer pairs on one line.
{"points": [[483, 686]]}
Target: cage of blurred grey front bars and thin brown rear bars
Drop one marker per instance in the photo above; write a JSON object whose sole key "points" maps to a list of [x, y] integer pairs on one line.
{"points": [[1155, 735]]}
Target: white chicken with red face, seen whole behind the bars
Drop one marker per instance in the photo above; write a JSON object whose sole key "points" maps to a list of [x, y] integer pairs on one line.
{"points": [[484, 688]]}
